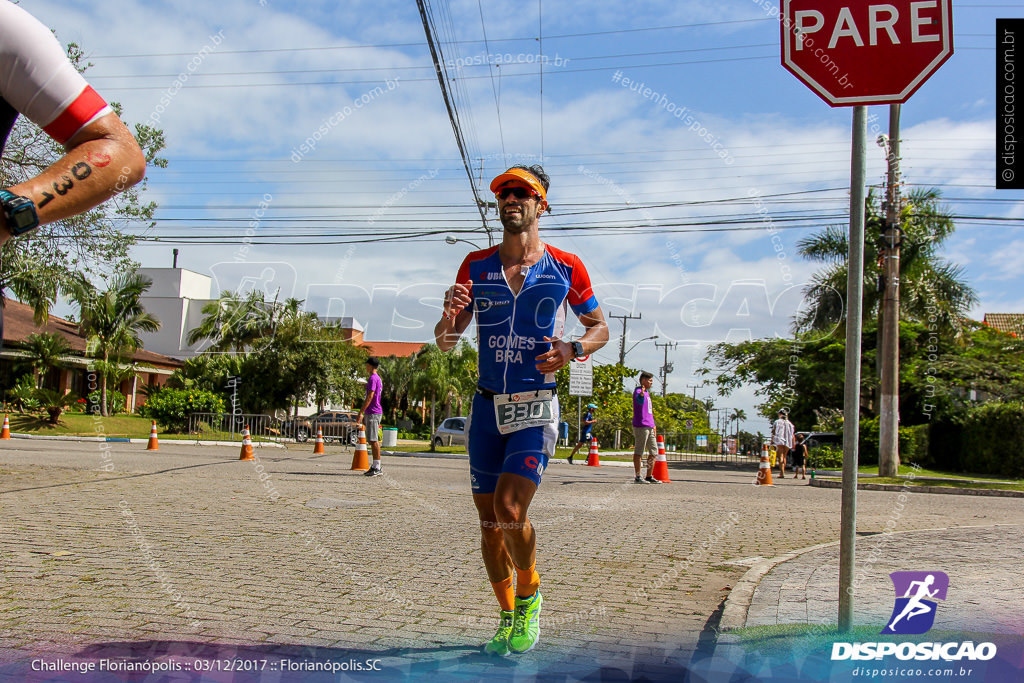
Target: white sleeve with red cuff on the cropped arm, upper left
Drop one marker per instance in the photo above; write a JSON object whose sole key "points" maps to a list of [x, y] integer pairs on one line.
{"points": [[37, 79]]}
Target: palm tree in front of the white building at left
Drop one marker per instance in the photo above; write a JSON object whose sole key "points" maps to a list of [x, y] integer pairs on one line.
{"points": [[113, 321]]}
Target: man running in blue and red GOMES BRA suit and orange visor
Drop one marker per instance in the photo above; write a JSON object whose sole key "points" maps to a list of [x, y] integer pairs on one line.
{"points": [[519, 293]]}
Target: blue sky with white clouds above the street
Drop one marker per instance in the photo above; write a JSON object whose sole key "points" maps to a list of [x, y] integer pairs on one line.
{"points": [[360, 218]]}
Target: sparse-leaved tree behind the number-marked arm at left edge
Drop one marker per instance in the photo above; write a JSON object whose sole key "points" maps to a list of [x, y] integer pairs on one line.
{"points": [[40, 267]]}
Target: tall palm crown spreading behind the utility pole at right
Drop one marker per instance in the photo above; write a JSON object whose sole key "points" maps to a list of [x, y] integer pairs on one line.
{"points": [[929, 285]]}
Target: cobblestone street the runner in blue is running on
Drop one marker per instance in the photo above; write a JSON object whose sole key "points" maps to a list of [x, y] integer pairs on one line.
{"points": [[189, 552]]}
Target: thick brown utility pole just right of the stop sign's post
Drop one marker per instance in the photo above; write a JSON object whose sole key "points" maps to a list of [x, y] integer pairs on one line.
{"points": [[889, 354]]}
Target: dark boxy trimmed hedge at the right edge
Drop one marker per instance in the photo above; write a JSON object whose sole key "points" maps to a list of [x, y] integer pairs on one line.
{"points": [[994, 441]]}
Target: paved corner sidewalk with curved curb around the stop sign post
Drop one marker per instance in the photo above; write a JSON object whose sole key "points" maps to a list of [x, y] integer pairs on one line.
{"points": [[801, 588]]}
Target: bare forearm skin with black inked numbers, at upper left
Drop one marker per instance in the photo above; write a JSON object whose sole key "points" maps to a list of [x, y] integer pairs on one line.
{"points": [[103, 159]]}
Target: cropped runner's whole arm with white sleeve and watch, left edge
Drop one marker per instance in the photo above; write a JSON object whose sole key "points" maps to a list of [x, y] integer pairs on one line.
{"points": [[103, 157]]}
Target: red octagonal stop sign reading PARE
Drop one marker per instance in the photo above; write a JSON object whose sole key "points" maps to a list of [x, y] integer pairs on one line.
{"points": [[866, 52]]}
